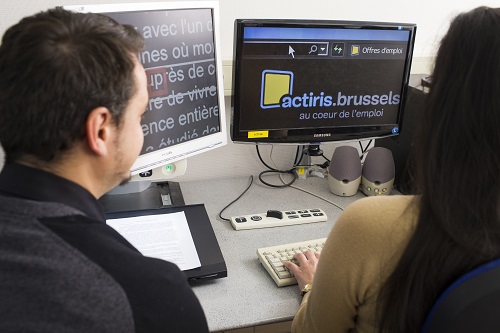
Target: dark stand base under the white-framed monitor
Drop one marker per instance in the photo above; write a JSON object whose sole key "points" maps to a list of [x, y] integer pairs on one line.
{"points": [[140, 195]]}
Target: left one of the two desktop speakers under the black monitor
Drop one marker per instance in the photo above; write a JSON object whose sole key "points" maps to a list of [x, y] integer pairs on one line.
{"points": [[344, 172]]}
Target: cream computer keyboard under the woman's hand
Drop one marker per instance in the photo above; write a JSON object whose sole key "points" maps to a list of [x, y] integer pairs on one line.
{"points": [[272, 258]]}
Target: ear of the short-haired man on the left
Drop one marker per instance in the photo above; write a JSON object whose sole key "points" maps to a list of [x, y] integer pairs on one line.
{"points": [[98, 129]]}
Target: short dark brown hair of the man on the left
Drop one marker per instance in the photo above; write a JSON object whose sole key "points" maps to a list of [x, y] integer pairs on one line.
{"points": [[55, 67]]}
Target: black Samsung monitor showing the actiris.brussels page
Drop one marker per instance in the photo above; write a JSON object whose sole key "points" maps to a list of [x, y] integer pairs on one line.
{"points": [[298, 81]]}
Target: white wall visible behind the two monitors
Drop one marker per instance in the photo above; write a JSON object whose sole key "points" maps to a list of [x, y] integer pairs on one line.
{"points": [[431, 16]]}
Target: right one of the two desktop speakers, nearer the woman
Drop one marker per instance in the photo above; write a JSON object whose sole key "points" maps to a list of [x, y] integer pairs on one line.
{"points": [[378, 172]]}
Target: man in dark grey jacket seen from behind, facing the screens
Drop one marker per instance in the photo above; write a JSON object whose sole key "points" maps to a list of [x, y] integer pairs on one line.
{"points": [[72, 94]]}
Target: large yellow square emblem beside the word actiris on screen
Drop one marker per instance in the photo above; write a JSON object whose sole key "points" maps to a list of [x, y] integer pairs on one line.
{"points": [[275, 84]]}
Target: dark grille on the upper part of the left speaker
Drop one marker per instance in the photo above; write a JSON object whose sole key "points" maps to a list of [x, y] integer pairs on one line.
{"points": [[345, 164]]}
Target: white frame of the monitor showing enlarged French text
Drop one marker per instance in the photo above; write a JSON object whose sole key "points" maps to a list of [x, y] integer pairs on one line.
{"points": [[181, 151]]}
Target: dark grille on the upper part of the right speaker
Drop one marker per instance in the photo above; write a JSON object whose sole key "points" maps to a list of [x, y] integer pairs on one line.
{"points": [[379, 165]]}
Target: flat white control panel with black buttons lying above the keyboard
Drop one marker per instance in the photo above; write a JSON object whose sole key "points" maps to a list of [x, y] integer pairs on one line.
{"points": [[277, 218]]}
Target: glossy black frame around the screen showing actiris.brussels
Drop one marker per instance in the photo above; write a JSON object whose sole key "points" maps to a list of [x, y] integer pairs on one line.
{"points": [[315, 136]]}
